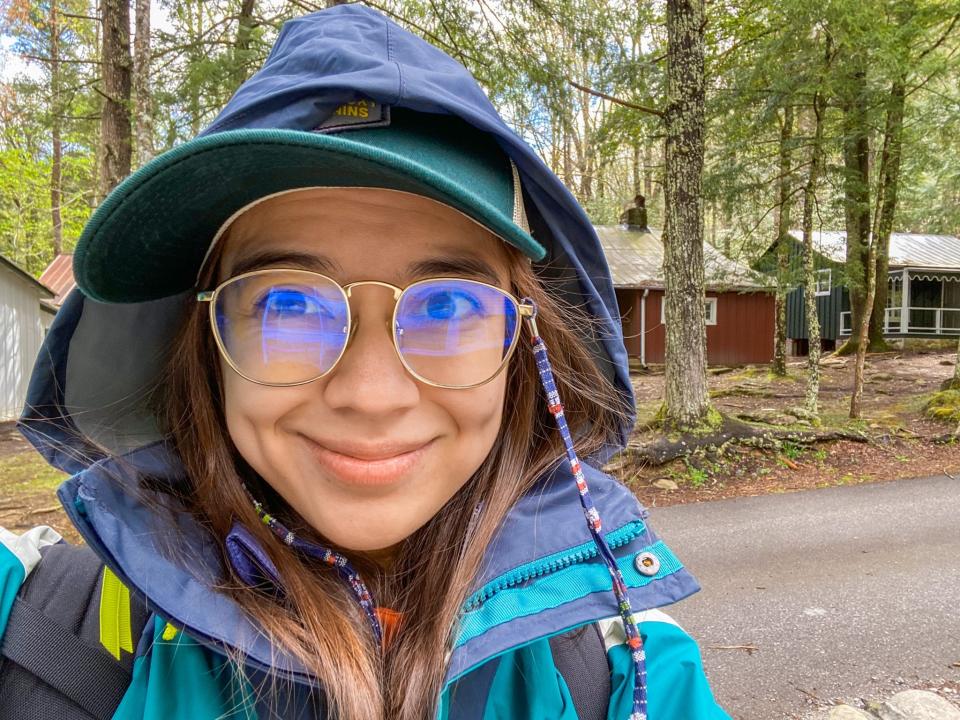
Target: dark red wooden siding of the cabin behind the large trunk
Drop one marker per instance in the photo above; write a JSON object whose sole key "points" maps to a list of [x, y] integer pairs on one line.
{"points": [[743, 333]]}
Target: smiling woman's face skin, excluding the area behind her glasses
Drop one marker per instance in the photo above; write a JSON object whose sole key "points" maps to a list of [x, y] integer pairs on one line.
{"points": [[366, 454]]}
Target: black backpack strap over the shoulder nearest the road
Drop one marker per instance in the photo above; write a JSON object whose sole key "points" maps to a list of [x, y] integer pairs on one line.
{"points": [[581, 658]]}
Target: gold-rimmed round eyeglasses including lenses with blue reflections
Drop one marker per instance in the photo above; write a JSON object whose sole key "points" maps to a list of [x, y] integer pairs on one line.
{"points": [[290, 327]]}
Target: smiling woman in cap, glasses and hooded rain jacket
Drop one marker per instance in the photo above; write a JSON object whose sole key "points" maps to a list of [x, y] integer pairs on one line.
{"points": [[310, 396]]}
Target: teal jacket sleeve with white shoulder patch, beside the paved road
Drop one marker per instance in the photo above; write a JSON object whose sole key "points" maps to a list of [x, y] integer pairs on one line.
{"points": [[676, 684]]}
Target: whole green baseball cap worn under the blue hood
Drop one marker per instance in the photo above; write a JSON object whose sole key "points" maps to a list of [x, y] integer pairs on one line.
{"points": [[150, 236]]}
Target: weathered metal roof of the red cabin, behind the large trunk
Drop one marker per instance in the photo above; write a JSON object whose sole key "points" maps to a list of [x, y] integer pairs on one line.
{"points": [[636, 260]]}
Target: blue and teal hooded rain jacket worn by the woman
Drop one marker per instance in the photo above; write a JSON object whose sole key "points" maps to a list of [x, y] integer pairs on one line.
{"points": [[89, 415]]}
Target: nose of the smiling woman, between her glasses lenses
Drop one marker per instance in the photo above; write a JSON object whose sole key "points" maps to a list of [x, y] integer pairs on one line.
{"points": [[370, 379]]}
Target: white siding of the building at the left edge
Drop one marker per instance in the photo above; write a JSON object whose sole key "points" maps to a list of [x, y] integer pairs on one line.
{"points": [[21, 333]]}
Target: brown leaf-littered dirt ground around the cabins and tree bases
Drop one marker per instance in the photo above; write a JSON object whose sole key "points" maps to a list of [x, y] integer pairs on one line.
{"points": [[899, 439]]}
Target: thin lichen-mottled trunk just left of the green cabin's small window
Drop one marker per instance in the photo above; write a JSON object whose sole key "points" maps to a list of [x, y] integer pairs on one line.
{"points": [[809, 274]]}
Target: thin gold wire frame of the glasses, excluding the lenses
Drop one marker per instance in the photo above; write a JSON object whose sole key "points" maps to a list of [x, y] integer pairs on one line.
{"points": [[523, 309]]}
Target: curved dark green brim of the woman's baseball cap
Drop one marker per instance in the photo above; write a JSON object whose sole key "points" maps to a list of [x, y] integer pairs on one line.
{"points": [[149, 237]]}
